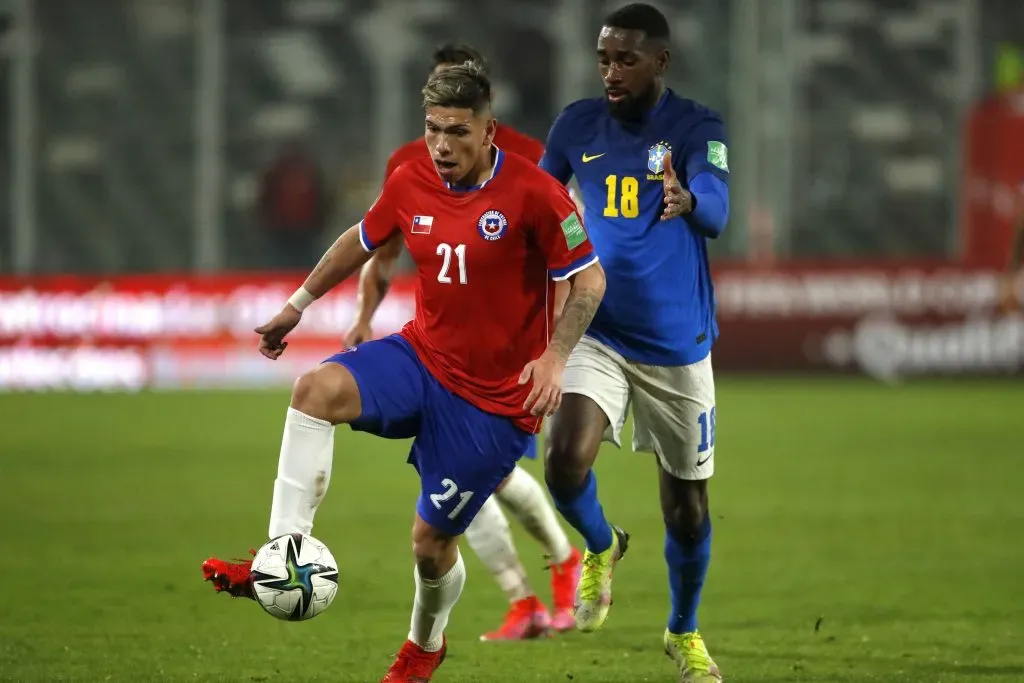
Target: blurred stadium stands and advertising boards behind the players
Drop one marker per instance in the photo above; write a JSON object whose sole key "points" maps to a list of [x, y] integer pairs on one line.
{"points": [[868, 221]]}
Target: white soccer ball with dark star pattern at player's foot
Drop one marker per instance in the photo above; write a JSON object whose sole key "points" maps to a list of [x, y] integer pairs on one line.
{"points": [[295, 577]]}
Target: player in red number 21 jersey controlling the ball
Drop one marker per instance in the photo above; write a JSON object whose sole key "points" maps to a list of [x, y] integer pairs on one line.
{"points": [[472, 376]]}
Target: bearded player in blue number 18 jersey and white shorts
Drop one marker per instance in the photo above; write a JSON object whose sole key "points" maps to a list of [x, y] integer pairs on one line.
{"points": [[654, 172]]}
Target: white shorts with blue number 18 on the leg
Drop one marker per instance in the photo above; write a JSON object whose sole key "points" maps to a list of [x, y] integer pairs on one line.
{"points": [[673, 406]]}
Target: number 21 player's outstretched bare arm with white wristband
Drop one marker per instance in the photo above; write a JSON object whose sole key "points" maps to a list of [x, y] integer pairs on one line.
{"points": [[343, 260]]}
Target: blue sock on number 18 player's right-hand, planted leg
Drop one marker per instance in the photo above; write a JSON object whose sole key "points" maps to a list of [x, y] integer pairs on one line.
{"points": [[688, 569]]}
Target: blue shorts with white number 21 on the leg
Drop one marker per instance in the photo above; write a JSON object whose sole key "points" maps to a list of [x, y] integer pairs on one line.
{"points": [[461, 452]]}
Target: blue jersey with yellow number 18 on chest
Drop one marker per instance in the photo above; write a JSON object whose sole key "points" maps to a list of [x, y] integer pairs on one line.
{"points": [[659, 308]]}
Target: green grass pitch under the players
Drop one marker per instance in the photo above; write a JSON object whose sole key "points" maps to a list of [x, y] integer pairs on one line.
{"points": [[891, 518]]}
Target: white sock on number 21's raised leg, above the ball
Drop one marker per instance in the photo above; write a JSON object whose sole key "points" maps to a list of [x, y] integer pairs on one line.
{"points": [[304, 474]]}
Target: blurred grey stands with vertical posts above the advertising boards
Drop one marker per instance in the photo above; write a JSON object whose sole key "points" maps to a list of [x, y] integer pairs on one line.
{"points": [[138, 129]]}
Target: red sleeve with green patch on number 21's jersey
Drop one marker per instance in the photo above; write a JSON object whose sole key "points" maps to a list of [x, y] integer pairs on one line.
{"points": [[561, 232]]}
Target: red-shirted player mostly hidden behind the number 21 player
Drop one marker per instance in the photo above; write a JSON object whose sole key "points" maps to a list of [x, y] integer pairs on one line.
{"points": [[489, 535]]}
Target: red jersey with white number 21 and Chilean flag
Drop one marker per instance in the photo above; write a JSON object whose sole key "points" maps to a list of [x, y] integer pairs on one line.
{"points": [[485, 259]]}
